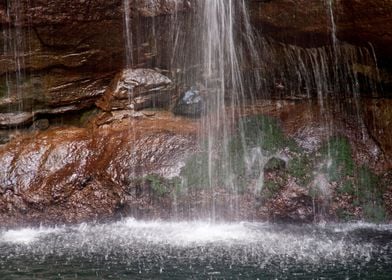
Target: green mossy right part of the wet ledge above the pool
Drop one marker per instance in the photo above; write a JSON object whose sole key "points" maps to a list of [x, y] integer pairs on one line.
{"points": [[287, 183]]}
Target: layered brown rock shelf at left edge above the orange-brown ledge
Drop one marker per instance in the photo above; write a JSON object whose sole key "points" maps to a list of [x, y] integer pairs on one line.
{"points": [[54, 93]]}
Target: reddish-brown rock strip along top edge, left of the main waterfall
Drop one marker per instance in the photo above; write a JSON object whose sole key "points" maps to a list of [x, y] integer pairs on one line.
{"points": [[59, 12]]}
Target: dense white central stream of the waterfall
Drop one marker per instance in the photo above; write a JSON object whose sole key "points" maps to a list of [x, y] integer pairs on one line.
{"points": [[222, 58]]}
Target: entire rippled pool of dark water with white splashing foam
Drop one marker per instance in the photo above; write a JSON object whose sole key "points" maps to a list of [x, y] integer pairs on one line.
{"points": [[131, 249]]}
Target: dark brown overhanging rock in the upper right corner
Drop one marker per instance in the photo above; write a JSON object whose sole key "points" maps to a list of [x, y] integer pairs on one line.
{"points": [[315, 26]]}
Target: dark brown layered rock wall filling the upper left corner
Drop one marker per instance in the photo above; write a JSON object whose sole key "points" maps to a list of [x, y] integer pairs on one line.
{"points": [[58, 56]]}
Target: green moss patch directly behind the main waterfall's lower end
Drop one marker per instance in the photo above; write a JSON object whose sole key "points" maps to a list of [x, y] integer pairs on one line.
{"points": [[253, 132]]}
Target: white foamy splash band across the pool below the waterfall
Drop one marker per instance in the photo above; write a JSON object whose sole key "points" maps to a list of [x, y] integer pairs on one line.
{"points": [[311, 243]]}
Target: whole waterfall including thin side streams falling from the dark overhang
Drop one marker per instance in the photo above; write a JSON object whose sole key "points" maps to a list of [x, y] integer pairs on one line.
{"points": [[211, 48]]}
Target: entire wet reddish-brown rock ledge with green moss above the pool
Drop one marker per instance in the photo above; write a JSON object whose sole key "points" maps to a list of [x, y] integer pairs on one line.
{"points": [[150, 165]]}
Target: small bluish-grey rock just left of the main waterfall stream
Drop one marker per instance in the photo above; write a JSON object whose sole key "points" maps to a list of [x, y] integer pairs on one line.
{"points": [[191, 104]]}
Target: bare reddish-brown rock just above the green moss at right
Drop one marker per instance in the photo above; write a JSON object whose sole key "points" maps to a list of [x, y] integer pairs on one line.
{"points": [[311, 126]]}
